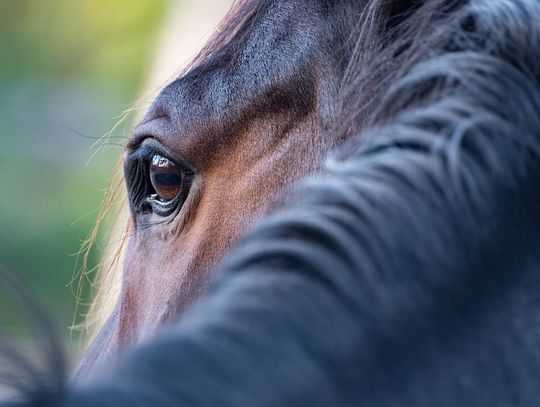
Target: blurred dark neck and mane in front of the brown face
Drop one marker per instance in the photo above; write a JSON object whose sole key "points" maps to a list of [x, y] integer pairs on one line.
{"points": [[404, 273]]}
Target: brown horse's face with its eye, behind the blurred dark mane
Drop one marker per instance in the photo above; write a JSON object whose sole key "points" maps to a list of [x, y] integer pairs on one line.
{"points": [[222, 142]]}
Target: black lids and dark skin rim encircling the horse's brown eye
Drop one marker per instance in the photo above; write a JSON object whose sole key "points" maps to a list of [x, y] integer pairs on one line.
{"points": [[143, 196]]}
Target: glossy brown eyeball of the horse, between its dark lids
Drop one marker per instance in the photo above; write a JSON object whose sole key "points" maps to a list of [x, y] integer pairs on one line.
{"points": [[166, 178]]}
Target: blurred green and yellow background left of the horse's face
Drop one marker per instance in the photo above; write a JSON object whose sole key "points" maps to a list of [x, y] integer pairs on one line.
{"points": [[68, 69]]}
